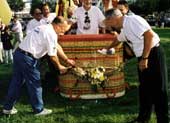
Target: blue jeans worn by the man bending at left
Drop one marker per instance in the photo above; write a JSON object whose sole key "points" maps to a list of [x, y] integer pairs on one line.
{"points": [[25, 70]]}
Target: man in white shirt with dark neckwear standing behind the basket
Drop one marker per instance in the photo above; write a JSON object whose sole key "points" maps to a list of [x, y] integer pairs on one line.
{"points": [[88, 18]]}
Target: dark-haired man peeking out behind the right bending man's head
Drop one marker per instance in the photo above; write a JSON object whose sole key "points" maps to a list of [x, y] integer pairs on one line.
{"points": [[124, 7]]}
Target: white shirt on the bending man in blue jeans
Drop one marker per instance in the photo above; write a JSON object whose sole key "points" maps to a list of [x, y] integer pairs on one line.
{"points": [[40, 41]]}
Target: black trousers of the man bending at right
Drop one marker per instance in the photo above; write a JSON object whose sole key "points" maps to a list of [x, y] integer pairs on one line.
{"points": [[153, 87]]}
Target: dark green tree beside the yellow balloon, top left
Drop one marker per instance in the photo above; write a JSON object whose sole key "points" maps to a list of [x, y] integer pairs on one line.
{"points": [[16, 5]]}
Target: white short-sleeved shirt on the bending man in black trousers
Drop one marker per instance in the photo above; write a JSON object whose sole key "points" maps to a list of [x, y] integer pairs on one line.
{"points": [[133, 29]]}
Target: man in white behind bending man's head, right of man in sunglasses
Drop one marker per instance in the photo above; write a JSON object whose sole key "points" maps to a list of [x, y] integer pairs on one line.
{"points": [[47, 16]]}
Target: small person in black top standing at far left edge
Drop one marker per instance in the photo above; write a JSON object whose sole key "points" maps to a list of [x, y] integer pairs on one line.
{"points": [[6, 38]]}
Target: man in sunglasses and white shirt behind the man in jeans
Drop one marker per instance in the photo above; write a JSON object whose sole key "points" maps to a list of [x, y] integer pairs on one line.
{"points": [[36, 21]]}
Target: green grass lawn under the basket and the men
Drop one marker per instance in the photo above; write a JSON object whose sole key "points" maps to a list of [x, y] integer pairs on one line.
{"points": [[118, 110]]}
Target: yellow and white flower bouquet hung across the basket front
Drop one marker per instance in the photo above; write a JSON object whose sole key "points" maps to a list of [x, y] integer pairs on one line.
{"points": [[97, 76]]}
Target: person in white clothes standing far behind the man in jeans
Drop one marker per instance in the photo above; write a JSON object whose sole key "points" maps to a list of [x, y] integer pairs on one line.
{"points": [[17, 29]]}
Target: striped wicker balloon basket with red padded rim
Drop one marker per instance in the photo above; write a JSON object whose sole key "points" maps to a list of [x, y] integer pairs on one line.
{"points": [[83, 49]]}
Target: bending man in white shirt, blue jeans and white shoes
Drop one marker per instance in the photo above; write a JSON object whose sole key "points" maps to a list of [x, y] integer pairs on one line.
{"points": [[40, 41]]}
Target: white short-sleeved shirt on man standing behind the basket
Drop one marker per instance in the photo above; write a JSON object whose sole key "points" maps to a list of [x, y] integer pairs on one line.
{"points": [[96, 18]]}
